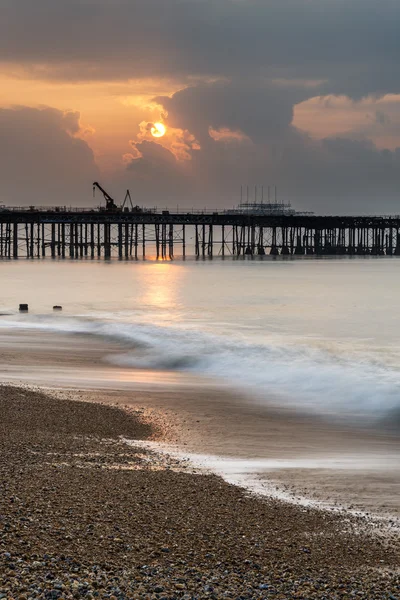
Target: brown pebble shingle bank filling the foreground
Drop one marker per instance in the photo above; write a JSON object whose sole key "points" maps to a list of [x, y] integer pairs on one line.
{"points": [[74, 523]]}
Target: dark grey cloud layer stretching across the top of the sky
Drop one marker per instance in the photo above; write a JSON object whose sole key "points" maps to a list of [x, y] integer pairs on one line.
{"points": [[352, 43]]}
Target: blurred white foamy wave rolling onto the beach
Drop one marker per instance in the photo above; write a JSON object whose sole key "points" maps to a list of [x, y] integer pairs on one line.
{"points": [[323, 380]]}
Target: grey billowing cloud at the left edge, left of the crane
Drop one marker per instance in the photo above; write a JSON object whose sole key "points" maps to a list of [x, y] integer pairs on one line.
{"points": [[41, 160]]}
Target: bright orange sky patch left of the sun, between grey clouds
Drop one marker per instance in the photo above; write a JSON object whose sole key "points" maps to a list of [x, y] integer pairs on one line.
{"points": [[111, 112]]}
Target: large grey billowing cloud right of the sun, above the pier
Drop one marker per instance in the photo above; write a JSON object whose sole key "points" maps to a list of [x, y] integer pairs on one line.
{"points": [[239, 147]]}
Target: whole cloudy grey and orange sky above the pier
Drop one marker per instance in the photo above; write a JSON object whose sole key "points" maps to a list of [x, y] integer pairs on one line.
{"points": [[299, 94]]}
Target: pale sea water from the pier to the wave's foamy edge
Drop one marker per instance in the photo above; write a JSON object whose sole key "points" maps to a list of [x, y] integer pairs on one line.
{"points": [[323, 335]]}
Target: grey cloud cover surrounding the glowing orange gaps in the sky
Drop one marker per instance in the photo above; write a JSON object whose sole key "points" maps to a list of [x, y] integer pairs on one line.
{"points": [[260, 59]]}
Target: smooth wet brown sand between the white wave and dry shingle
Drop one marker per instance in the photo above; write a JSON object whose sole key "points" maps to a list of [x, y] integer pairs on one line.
{"points": [[332, 463]]}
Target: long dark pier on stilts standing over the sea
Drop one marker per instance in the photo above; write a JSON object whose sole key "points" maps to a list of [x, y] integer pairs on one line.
{"points": [[137, 233]]}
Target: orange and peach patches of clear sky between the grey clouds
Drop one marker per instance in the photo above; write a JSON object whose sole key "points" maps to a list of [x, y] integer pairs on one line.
{"points": [[111, 113]]}
